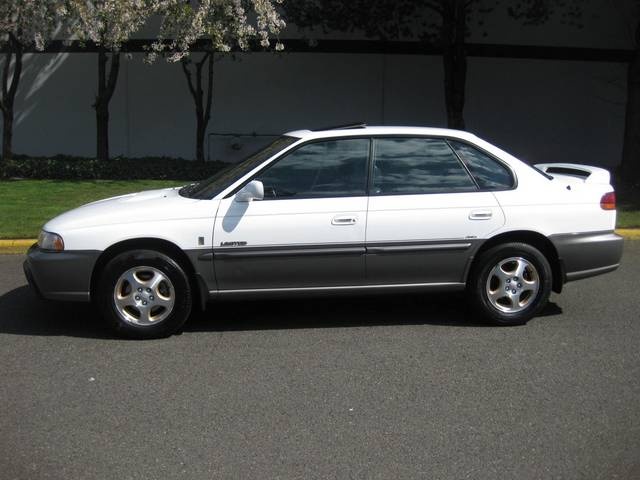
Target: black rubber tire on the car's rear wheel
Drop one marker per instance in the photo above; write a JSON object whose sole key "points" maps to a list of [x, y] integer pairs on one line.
{"points": [[479, 290]]}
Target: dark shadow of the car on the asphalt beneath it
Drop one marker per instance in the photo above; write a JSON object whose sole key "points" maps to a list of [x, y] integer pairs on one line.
{"points": [[22, 313]]}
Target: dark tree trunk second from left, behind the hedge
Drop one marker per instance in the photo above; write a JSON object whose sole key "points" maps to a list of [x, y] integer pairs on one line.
{"points": [[106, 86]]}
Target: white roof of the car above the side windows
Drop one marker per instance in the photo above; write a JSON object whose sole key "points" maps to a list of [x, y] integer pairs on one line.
{"points": [[357, 131]]}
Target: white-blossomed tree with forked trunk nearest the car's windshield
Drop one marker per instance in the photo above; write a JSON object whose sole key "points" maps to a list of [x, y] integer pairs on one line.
{"points": [[212, 26]]}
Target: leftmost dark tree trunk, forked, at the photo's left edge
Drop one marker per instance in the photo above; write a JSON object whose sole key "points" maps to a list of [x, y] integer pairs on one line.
{"points": [[9, 89]]}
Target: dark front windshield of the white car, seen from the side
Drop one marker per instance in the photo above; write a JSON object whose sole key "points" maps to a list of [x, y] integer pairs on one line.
{"points": [[212, 186]]}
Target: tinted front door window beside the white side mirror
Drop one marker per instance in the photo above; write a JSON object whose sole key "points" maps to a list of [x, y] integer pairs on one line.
{"points": [[336, 168]]}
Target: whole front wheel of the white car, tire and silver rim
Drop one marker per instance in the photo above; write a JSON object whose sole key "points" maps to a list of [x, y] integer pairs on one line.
{"points": [[144, 294]]}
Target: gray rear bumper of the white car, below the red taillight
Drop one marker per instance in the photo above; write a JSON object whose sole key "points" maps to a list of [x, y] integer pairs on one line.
{"points": [[584, 255]]}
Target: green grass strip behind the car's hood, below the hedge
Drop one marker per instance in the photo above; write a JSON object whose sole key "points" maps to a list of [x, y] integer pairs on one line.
{"points": [[25, 205]]}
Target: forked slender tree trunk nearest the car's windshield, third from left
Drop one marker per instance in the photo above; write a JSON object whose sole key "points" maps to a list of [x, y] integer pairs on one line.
{"points": [[202, 102]]}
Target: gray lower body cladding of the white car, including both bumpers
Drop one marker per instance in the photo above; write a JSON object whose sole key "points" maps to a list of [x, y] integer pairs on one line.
{"points": [[320, 269]]}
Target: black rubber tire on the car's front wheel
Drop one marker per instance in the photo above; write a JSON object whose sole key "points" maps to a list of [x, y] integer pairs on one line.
{"points": [[177, 288]]}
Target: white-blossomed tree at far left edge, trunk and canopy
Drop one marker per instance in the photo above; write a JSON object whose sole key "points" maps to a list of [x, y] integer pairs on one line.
{"points": [[24, 24]]}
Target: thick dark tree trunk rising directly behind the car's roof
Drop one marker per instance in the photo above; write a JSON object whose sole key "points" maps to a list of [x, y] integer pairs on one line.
{"points": [[454, 23]]}
